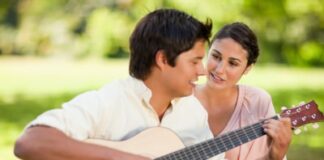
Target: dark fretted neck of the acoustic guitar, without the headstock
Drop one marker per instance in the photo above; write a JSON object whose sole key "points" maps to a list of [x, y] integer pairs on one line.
{"points": [[218, 144]]}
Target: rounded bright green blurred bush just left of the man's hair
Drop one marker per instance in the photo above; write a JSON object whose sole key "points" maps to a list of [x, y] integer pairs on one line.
{"points": [[108, 33]]}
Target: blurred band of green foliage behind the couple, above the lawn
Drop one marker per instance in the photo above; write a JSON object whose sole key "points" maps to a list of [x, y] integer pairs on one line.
{"points": [[289, 31]]}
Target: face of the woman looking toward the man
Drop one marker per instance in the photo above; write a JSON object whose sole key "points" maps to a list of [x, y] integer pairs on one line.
{"points": [[227, 62]]}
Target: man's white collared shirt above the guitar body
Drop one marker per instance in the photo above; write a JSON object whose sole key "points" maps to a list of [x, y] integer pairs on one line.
{"points": [[121, 110]]}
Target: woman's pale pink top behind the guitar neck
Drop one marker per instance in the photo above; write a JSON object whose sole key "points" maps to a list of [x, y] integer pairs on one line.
{"points": [[253, 104]]}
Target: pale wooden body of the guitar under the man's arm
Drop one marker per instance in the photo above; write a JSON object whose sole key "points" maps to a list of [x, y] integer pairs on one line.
{"points": [[153, 142]]}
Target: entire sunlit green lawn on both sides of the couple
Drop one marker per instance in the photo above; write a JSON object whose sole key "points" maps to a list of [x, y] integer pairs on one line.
{"points": [[31, 86]]}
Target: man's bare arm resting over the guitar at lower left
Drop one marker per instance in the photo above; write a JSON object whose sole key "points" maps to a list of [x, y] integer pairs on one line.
{"points": [[42, 142]]}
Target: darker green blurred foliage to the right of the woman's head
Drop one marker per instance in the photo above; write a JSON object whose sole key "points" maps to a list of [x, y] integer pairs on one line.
{"points": [[285, 27]]}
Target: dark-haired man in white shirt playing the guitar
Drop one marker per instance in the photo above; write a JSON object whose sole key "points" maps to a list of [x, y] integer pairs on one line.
{"points": [[167, 47]]}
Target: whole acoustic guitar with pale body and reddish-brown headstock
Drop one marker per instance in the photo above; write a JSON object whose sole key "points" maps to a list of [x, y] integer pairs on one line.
{"points": [[163, 144]]}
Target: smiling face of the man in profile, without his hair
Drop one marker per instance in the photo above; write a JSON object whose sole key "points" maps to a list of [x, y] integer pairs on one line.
{"points": [[180, 79]]}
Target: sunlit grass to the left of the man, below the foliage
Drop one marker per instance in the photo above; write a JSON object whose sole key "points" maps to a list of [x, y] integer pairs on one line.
{"points": [[32, 86]]}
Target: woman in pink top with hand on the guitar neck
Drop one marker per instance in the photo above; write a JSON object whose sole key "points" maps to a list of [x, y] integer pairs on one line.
{"points": [[230, 106]]}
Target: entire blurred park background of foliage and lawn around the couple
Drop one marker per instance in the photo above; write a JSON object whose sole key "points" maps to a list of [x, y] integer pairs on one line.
{"points": [[52, 50]]}
